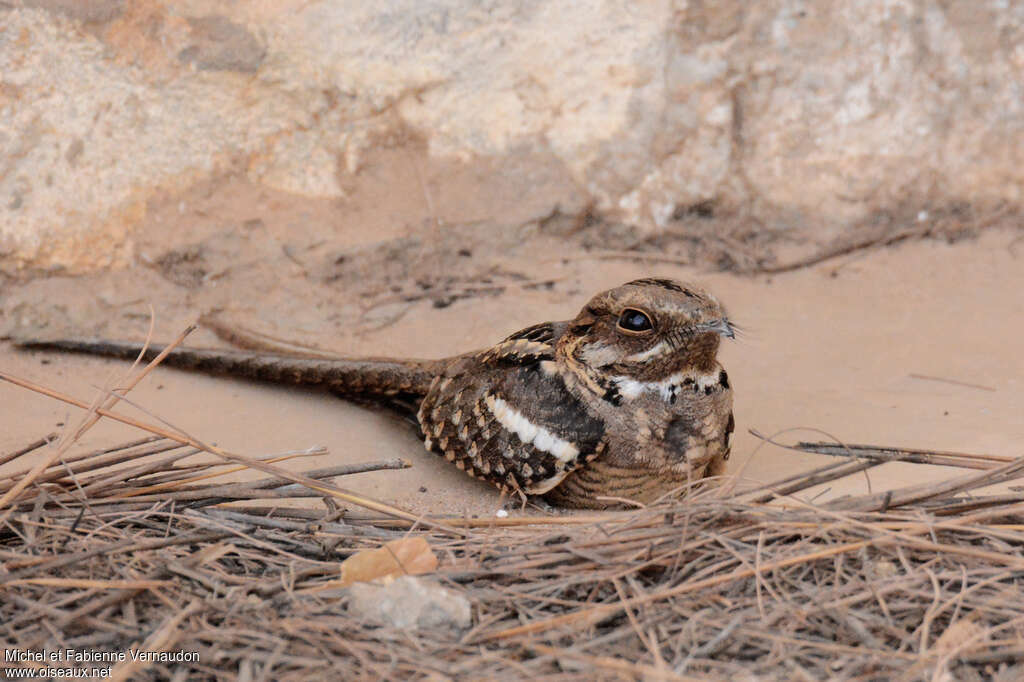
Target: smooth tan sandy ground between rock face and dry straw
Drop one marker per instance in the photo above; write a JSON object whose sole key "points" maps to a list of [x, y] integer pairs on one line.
{"points": [[867, 349]]}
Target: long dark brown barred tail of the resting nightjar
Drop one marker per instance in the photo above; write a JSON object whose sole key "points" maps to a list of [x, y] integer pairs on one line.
{"points": [[368, 378]]}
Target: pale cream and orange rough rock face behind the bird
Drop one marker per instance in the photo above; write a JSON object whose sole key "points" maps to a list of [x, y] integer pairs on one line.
{"points": [[810, 116]]}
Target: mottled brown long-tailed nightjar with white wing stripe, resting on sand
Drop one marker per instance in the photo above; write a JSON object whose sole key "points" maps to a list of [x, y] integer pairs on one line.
{"points": [[627, 402]]}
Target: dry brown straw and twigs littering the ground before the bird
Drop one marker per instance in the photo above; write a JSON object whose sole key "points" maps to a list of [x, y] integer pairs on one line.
{"points": [[138, 548]]}
